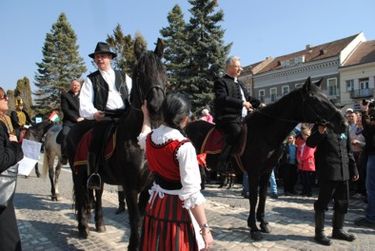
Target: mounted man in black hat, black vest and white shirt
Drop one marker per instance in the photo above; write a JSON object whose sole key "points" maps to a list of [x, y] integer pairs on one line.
{"points": [[103, 98]]}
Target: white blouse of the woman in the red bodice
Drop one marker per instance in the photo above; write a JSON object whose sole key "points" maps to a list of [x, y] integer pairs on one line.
{"points": [[188, 164]]}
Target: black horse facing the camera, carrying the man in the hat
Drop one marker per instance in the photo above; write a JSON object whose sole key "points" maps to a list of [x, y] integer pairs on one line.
{"points": [[126, 166]]}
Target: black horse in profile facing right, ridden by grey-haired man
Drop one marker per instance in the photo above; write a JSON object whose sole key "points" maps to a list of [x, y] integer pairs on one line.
{"points": [[267, 128]]}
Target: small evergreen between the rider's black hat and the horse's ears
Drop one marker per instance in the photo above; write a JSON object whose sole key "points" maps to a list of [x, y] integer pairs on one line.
{"points": [[122, 45]]}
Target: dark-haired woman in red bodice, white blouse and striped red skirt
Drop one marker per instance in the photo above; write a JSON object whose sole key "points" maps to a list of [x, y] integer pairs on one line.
{"points": [[175, 216]]}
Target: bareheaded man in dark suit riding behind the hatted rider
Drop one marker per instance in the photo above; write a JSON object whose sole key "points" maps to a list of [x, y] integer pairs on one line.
{"points": [[70, 109]]}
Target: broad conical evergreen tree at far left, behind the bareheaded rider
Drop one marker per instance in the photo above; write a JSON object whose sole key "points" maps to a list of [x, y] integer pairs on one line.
{"points": [[60, 64]]}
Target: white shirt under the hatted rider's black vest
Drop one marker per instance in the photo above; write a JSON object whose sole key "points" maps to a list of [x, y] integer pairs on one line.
{"points": [[86, 98]]}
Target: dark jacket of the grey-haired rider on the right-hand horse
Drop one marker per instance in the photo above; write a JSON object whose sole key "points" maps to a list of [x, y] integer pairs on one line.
{"points": [[228, 101]]}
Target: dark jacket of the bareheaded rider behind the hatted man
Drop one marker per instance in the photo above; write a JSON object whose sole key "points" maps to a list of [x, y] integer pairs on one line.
{"points": [[70, 107]]}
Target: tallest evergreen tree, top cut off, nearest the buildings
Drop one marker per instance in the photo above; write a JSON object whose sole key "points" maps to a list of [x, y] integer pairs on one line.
{"points": [[207, 51]]}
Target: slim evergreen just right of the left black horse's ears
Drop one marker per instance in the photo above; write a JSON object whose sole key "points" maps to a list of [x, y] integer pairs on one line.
{"points": [[175, 54]]}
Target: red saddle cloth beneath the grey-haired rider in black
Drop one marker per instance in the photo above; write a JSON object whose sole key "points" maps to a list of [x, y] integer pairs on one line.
{"points": [[214, 143]]}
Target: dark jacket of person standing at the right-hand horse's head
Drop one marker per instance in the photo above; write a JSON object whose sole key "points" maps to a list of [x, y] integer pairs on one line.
{"points": [[333, 157]]}
